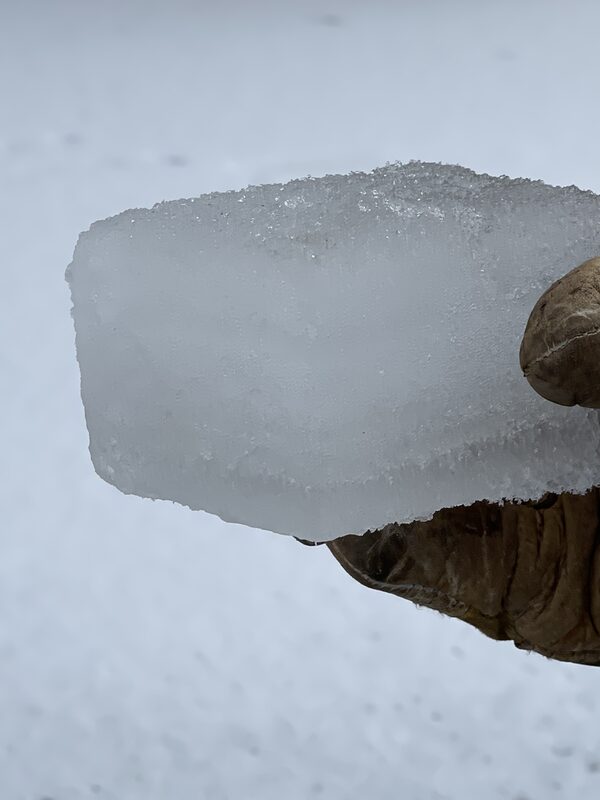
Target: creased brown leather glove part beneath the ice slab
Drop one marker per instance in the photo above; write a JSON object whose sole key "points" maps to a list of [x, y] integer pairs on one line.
{"points": [[529, 572]]}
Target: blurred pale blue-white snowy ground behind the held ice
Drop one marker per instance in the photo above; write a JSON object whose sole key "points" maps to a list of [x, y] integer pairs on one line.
{"points": [[148, 652]]}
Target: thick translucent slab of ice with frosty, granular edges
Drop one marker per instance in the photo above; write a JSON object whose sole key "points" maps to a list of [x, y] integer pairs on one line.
{"points": [[333, 354]]}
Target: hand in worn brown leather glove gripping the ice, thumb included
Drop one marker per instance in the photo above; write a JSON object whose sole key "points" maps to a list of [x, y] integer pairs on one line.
{"points": [[529, 572]]}
